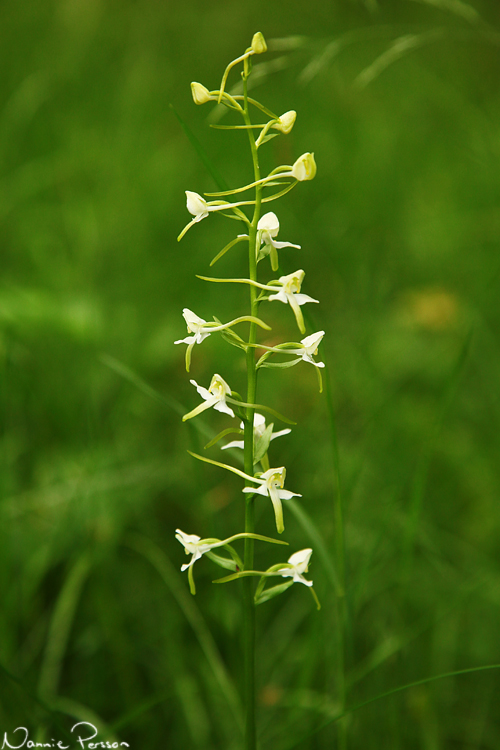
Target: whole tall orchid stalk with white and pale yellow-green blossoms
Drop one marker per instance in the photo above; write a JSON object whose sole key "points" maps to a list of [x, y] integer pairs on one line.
{"points": [[260, 478]]}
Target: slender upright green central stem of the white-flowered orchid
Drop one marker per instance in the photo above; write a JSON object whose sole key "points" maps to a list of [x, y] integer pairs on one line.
{"points": [[248, 583]]}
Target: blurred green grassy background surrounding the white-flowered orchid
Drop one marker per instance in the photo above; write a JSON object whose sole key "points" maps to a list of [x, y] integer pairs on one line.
{"points": [[400, 102]]}
